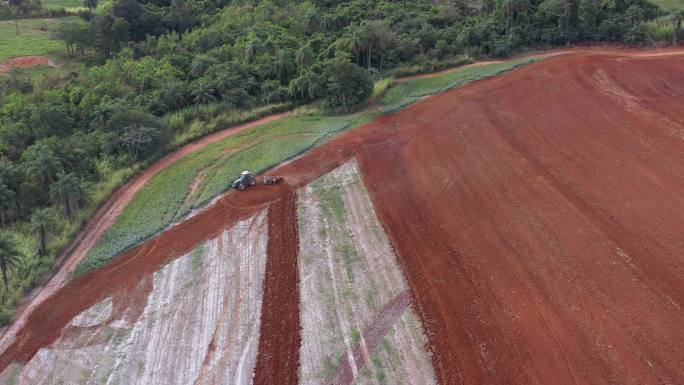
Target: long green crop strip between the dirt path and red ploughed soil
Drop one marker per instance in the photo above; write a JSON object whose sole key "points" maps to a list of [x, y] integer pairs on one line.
{"points": [[164, 198]]}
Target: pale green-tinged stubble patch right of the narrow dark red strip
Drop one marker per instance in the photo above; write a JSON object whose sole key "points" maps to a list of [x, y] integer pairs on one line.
{"points": [[348, 274]]}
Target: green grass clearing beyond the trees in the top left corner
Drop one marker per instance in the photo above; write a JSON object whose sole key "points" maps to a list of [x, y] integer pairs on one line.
{"points": [[31, 39]]}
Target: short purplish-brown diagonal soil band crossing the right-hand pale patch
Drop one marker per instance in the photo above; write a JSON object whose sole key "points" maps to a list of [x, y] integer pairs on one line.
{"points": [[372, 337]]}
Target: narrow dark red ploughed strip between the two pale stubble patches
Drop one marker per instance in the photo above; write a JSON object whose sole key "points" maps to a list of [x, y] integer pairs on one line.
{"points": [[279, 339]]}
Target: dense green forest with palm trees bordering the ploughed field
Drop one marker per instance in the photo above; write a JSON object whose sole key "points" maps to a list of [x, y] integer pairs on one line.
{"points": [[158, 73]]}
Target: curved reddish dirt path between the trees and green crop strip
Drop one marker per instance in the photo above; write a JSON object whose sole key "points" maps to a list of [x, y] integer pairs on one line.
{"points": [[105, 216]]}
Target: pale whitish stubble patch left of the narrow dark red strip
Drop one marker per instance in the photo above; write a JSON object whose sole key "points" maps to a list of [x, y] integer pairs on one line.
{"points": [[198, 324]]}
